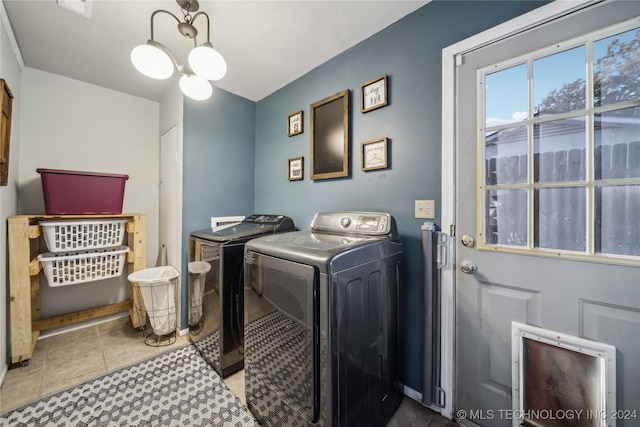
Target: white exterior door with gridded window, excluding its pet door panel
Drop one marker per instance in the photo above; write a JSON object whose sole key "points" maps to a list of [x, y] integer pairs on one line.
{"points": [[548, 200]]}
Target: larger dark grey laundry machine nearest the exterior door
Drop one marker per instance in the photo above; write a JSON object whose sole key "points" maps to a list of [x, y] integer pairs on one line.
{"points": [[322, 322]]}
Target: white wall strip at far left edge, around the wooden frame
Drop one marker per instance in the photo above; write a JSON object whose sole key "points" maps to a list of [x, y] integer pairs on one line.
{"points": [[10, 72]]}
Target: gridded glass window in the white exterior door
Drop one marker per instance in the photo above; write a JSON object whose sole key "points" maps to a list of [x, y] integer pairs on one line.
{"points": [[560, 140]]}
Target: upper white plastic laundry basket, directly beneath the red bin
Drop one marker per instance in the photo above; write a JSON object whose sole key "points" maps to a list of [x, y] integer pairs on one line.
{"points": [[64, 236]]}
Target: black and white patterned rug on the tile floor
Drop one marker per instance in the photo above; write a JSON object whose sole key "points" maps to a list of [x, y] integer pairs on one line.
{"points": [[175, 388]]}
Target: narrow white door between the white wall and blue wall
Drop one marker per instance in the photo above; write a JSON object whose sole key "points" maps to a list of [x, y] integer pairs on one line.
{"points": [[169, 218]]}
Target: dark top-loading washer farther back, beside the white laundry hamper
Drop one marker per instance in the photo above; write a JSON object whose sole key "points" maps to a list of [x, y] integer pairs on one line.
{"points": [[216, 315]]}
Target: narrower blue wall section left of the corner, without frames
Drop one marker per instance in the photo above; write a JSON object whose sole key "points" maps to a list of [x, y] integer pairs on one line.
{"points": [[218, 158]]}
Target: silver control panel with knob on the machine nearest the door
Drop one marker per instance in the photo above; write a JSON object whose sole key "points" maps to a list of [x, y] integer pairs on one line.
{"points": [[361, 223]]}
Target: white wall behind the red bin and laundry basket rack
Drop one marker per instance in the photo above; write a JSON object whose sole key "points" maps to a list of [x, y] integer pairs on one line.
{"points": [[72, 125]]}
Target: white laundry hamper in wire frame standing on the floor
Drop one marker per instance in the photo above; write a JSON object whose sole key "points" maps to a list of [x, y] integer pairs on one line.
{"points": [[158, 287]]}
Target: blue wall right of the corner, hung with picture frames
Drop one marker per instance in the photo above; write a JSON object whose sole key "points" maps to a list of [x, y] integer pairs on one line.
{"points": [[409, 52]]}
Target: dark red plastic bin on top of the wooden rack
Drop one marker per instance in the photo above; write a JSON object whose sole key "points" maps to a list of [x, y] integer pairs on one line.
{"points": [[82, 193]]}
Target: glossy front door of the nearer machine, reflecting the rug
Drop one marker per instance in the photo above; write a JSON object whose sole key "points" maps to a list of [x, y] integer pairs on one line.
{"points": [[281, 339]]}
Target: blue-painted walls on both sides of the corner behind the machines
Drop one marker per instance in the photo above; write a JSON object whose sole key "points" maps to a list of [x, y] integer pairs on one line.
{"points": [[236, 151]]}
